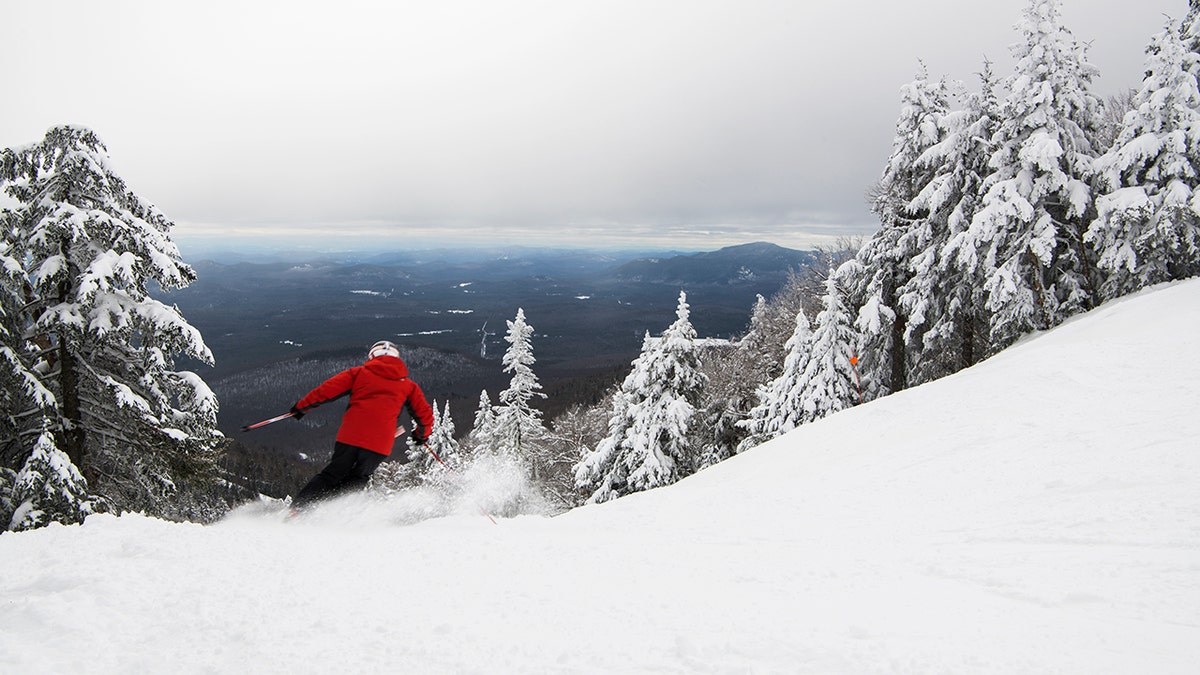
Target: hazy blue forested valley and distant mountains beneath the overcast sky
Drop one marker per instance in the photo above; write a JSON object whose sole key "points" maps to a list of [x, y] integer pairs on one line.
{"points": [[590, 312]]}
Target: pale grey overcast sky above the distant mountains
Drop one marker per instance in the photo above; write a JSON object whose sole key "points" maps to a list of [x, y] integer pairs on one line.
{"points": [[617, 123]]}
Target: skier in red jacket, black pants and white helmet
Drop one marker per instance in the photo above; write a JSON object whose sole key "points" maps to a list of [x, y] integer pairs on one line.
{"points": [[379, 391]]}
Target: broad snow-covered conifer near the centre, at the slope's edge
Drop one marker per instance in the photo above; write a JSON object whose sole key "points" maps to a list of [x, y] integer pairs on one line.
{"points": [[647, 444]]}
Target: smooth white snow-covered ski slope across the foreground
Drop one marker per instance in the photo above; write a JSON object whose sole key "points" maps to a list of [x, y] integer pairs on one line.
{"points": [[1037, 513]]}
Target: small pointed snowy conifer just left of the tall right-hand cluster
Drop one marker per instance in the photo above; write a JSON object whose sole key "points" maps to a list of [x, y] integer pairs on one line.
{"points": [[829, 383]]}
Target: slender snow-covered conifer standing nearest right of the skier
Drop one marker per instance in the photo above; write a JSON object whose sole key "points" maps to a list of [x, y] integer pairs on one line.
{"points": [[518, 425]]}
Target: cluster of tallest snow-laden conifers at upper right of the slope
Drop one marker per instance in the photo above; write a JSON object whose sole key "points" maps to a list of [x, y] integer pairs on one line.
{"points": [[1027, 204]]}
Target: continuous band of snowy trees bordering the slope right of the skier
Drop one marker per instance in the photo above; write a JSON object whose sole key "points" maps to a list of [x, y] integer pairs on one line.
{"points": [[1003, 212]]}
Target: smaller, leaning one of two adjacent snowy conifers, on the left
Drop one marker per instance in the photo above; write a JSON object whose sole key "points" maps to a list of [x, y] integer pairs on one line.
{"points": [[779, 408]]}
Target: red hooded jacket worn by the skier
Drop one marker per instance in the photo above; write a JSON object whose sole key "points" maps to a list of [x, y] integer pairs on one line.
{"points": [[379, 391]]}
